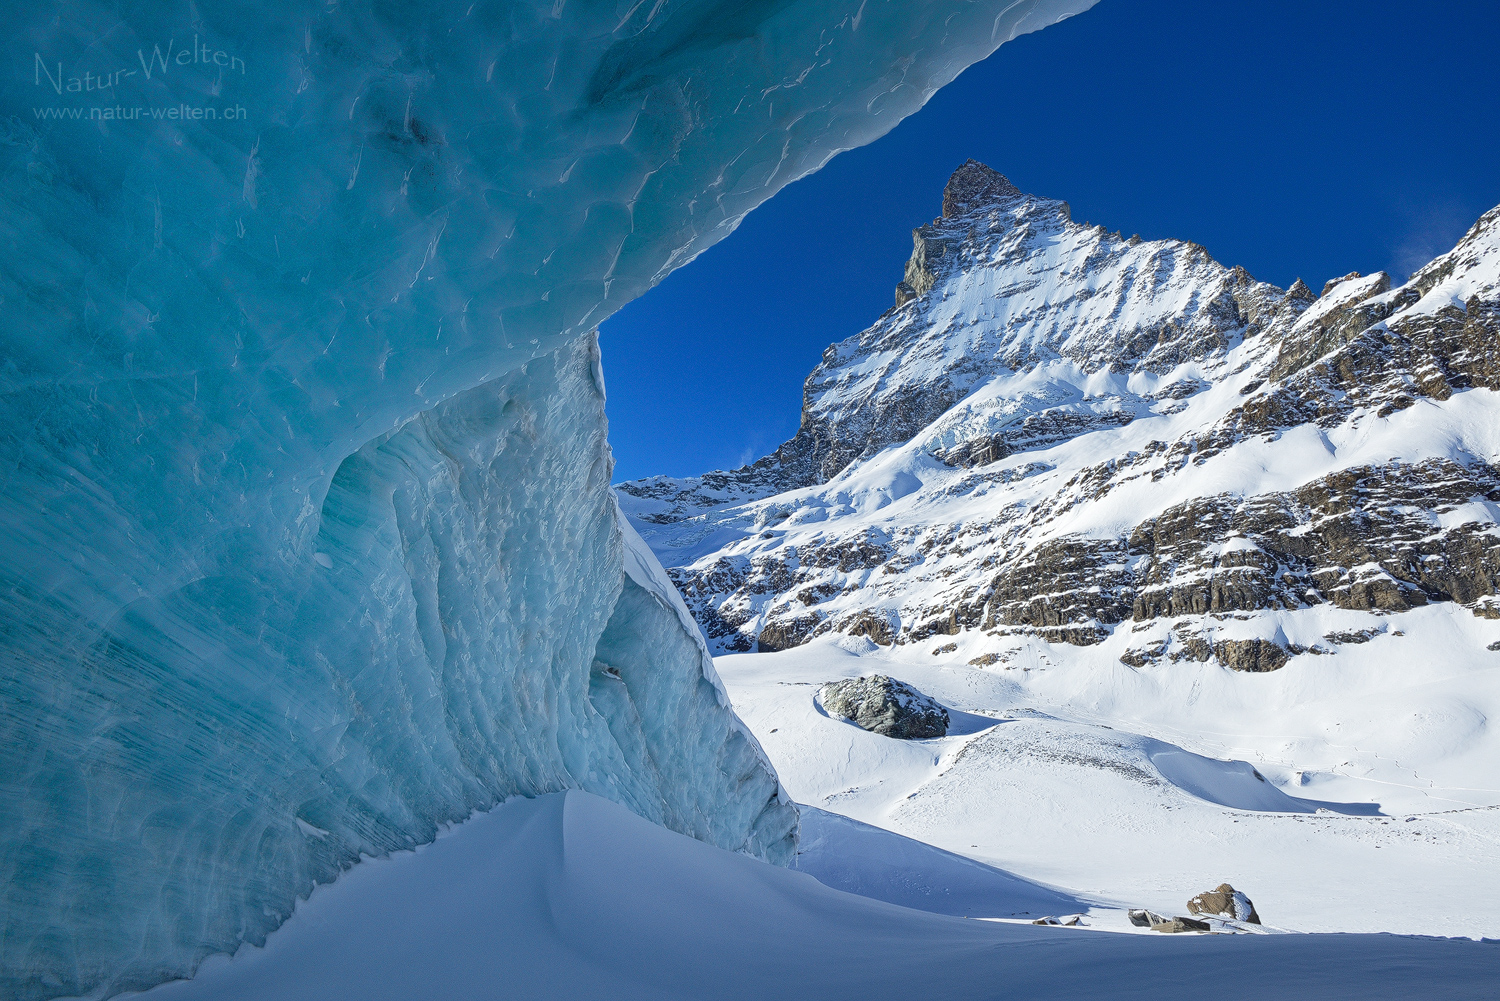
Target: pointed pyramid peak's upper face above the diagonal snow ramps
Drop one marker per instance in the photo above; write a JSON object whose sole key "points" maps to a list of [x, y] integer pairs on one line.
{"points": [[1019, 295]]}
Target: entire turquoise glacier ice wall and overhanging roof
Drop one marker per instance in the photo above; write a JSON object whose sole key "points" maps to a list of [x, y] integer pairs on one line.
{"points": [[307, 546]]}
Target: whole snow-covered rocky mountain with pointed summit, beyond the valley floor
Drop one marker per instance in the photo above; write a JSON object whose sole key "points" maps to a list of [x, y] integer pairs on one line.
{"points": [[1064, 434]]}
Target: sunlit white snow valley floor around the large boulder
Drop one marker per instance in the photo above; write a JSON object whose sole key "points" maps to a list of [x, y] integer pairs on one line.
{"points": [[1354, 793]]}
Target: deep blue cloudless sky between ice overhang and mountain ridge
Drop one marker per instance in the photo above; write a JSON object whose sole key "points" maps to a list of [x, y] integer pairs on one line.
{"points": [[1297, 139]]}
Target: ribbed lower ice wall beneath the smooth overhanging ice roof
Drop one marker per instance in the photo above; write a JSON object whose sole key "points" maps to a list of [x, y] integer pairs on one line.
{"points": [[250, 735]]}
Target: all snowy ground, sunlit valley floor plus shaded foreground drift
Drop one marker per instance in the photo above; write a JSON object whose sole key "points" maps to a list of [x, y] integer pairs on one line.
{"points": [[1064, 789]]}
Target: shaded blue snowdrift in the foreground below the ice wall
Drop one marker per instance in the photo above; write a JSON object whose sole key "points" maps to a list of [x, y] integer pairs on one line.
{"points": [[569, 897]]}
